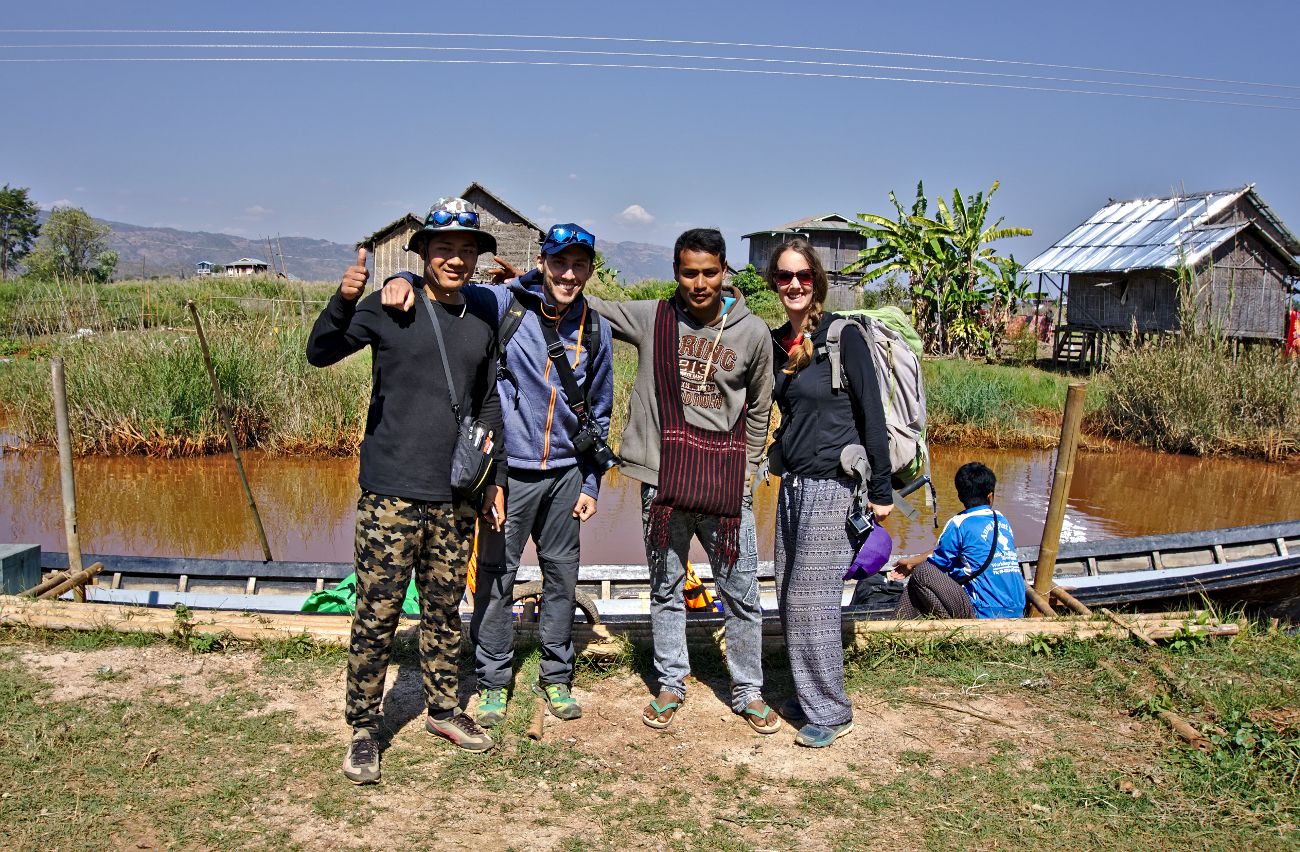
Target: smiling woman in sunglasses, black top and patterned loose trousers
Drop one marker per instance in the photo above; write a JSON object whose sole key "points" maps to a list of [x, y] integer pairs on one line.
{"points": [[814, 543]]}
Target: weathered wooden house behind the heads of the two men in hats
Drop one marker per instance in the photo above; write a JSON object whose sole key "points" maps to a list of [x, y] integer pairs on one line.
{"points": [[518, 237]]}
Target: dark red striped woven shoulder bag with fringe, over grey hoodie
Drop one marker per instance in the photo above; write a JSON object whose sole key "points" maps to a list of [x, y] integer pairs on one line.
{"points": [[700, 470]]}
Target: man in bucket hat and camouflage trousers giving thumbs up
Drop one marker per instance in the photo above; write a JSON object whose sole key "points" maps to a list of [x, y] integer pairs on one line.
{"points": [[410, 520]]}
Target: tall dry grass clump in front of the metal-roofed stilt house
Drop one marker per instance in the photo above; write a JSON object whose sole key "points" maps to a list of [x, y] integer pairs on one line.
{"points": [[1193, 396]]}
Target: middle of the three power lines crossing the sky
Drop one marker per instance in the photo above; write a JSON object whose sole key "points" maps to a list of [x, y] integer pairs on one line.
{"points": [[653, 55]]}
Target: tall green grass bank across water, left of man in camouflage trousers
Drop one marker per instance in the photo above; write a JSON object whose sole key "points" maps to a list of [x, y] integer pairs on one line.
{"points": [[149, 393]]}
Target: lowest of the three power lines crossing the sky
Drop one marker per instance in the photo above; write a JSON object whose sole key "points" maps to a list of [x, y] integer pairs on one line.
{"points": [[651, 67]]}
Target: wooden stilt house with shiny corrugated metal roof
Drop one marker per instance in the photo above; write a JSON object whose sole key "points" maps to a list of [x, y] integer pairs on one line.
{"points": [[1220, 260]]}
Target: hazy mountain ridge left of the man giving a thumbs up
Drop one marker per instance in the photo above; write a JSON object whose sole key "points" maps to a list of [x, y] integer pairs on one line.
{"points": [[168, 252]]}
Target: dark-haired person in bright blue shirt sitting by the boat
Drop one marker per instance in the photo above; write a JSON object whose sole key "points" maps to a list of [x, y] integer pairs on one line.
{"points": [[973, 572]]}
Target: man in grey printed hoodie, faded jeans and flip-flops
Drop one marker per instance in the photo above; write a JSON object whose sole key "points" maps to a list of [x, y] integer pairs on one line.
{"points": [[697, 426]]}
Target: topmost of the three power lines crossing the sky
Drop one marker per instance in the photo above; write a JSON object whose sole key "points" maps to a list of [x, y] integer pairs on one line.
{"points": [[649, 41]]}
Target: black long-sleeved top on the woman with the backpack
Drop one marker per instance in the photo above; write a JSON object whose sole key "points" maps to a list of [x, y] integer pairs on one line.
{"points": [[817, 423]]}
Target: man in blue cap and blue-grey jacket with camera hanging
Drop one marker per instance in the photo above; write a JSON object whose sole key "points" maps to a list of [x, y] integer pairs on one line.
{"points": [[557, 390]]}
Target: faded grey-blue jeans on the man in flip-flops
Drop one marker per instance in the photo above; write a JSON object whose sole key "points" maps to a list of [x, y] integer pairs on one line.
{"points": [[736, 586]]}
